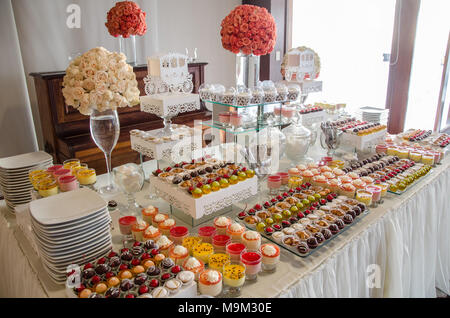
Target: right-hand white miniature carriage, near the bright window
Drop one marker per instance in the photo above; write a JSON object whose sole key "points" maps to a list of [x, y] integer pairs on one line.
{"points": [[301, 64]]}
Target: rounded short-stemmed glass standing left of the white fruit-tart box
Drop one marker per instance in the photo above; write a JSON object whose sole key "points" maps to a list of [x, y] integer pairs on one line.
{"points": [[130, 180]]}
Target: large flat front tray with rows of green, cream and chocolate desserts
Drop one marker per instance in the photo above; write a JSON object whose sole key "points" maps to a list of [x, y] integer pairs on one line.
{"points": [[304, 219]]}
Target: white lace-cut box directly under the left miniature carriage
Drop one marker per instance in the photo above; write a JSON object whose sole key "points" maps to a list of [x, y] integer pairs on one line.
{"points": [[169, 104]]}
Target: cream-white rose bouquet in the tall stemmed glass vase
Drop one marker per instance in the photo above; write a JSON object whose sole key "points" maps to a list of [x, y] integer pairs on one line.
{"points": [[100, 80]]}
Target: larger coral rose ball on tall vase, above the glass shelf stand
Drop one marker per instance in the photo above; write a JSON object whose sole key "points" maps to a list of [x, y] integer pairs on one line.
{"points": [[249, 29]]}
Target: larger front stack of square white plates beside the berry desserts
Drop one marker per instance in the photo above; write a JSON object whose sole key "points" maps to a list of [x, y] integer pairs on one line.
{"points": [[70, 228]]}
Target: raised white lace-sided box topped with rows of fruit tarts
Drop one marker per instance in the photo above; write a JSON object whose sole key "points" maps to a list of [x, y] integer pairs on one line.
{"points": [[204, 186]]}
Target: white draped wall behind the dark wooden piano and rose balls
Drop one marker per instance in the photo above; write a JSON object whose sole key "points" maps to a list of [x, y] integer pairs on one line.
{"points": [[47, 43]]}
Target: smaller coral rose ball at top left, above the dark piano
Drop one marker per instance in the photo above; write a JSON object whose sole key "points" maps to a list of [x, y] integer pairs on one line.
{"points": [[125, 19]]}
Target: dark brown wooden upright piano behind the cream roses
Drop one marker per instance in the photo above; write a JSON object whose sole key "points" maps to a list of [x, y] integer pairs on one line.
{"points": [[66, 132]]}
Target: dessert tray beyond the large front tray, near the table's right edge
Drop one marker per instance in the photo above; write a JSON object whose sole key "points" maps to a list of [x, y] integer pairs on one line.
{"points": [[388, 172]]}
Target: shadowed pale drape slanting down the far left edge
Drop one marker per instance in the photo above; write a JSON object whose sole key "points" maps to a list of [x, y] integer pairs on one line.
{"points": [[17, 130]]}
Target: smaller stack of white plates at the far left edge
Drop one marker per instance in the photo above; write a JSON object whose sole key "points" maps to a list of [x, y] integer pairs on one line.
{"points": [[14, 180]]}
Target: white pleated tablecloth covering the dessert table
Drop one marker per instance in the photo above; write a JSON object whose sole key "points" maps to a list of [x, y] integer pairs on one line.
{"points": [[400, 249]]}
